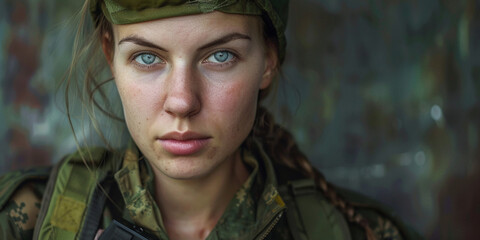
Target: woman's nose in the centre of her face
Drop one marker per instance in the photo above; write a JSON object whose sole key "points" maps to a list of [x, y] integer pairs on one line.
{"points": [[182, 93]]}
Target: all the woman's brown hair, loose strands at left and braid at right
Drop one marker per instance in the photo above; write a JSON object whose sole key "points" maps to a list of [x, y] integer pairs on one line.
{"points": [[278, 142]]}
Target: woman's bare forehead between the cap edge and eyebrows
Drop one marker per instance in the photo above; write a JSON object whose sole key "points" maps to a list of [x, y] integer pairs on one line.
{"points": [[192, 26]]}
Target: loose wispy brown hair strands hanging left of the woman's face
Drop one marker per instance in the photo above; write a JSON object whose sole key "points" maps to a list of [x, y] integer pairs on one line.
{"points": [[86, 83]]}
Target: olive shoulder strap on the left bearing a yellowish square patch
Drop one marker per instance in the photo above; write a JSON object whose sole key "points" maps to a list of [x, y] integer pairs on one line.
{"points": [[69, 191]]}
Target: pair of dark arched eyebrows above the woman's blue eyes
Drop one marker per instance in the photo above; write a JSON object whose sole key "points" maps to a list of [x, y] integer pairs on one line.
{"points": [[225, 39]]}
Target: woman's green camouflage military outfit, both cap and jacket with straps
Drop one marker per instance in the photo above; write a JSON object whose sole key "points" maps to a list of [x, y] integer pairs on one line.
{"points": [[275, 202]]}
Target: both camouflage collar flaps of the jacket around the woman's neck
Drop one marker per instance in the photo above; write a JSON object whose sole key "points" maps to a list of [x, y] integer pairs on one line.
{"points": [[247, 216]]}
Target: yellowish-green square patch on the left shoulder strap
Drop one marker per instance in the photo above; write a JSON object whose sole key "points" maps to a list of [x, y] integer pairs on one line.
{"points": [[68, 213]]}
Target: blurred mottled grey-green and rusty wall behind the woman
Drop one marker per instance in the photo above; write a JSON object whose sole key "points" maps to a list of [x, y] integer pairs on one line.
{"points": [[383, 96]]}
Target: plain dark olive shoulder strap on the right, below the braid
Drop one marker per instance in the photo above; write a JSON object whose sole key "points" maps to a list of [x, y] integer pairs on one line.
{"points": [[309, 214]]}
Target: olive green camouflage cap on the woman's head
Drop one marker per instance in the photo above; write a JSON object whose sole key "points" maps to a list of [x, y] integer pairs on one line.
{"points": [[134, 11]]}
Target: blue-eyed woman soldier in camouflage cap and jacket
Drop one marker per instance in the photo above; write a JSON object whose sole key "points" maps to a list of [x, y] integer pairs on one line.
{"points": [[205, 160]]}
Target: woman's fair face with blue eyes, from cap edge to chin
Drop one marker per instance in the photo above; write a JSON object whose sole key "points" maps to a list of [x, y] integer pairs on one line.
{"points": [[189, 88]]}
